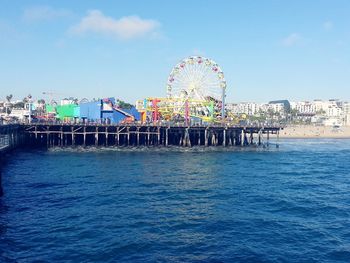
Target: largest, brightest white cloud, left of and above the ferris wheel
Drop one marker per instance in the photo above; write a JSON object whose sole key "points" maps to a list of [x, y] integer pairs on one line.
{"points": [[124, 28]]}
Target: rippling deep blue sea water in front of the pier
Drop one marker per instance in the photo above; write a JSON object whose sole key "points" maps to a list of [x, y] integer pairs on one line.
{"points": [[290, 204]]}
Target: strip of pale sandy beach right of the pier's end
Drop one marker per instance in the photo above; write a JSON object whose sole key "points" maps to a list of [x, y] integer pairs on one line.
{"points": [[310, 131]]}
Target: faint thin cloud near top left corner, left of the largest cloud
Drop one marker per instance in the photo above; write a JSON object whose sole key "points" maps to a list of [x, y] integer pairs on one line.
{"points": [[39, 13]]}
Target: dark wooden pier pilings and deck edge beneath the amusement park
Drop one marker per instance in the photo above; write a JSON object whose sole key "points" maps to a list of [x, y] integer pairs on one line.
{"points": [[62, 135]]}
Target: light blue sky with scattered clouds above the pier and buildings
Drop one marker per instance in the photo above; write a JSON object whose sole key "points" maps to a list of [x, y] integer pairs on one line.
{"points": [[268, 50]]}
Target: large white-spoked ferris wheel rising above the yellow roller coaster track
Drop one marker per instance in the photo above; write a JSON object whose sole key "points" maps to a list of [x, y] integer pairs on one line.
{"points": [[197, 78]]}
